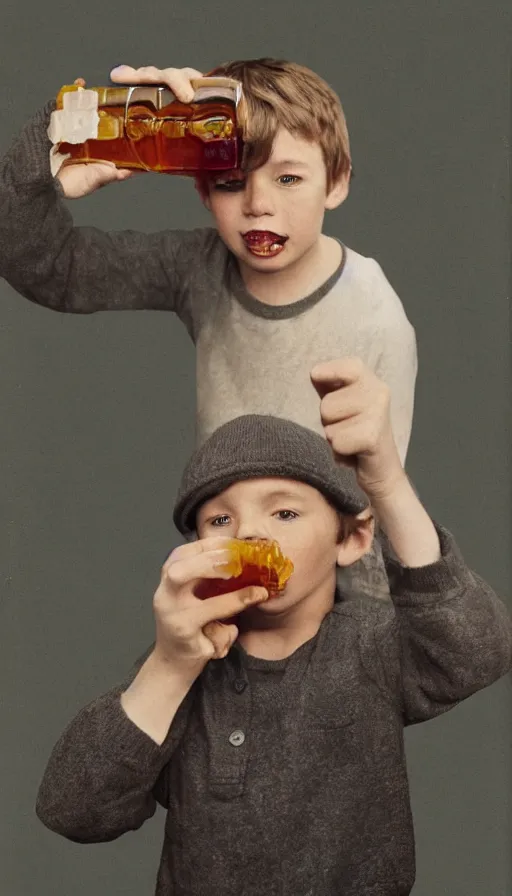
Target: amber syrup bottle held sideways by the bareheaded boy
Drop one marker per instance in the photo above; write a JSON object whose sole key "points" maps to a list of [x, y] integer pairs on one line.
{"points": [[145, 127]]}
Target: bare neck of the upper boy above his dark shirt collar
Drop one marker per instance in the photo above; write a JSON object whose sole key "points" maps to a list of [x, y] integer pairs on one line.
{"points": [[296, 281]]}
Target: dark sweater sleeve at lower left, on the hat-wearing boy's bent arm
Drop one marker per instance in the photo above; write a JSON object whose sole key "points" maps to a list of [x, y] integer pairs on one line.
{"points": [[105, 775]]}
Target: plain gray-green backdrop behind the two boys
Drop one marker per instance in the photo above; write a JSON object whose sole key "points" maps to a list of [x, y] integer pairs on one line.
{"points": [[97, 413]]}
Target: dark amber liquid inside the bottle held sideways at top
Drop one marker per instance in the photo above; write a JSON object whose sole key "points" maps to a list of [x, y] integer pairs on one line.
{"points": [[150, 141]]}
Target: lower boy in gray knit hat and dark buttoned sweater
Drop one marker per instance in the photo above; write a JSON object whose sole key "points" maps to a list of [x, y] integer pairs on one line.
{"points": [[277, 747]]}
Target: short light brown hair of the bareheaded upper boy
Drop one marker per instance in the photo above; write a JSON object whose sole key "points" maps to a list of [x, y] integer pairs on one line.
{"points": [[284, 94]]}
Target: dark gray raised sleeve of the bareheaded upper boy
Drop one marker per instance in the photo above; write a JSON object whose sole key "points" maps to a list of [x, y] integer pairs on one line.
{"points": [[81, 269]]}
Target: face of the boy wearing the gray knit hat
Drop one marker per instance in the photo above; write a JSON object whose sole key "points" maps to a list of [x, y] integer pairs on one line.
{"points": [[295, 515]]}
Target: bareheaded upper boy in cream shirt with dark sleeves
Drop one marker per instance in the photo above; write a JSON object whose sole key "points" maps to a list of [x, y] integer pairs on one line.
{"points": [[265, 295]]}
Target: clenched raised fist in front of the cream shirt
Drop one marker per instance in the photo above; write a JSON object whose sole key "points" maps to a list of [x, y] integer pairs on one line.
{"points": [[354, 408]]}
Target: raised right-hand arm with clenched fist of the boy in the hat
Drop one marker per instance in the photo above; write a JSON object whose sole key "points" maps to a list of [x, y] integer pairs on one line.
{"points": [[450, 636]]}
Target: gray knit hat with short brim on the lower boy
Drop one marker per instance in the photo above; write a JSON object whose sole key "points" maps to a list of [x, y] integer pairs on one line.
{"points": [[253, 446]]}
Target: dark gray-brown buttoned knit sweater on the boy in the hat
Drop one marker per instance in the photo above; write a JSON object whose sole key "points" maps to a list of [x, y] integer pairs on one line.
{"points": [[288, 778]]}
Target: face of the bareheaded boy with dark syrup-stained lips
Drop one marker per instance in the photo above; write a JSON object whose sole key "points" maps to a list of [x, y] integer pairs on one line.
{"points": [[272, 218]]}
